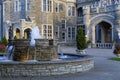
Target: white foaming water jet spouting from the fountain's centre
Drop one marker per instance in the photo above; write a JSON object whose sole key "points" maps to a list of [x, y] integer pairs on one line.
{"points": [[35, 34]]}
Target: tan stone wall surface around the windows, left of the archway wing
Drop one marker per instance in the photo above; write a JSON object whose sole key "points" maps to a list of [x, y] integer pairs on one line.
{"points": [[40, 18]]}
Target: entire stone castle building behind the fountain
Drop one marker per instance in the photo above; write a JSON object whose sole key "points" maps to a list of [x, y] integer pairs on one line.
{"points": [[100, 19]]}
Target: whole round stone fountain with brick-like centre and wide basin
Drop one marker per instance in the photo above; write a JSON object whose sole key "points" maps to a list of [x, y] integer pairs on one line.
{"points": [[42, 59]]}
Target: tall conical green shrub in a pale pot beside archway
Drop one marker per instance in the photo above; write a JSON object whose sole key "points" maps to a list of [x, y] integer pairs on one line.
{"points": [[80, 41]]}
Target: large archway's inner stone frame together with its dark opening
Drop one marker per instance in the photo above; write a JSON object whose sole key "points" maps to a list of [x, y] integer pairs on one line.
{"points": [[105, 26]]}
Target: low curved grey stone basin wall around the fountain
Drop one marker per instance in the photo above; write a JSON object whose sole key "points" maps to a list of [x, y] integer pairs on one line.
{"points": [[46, 68]]}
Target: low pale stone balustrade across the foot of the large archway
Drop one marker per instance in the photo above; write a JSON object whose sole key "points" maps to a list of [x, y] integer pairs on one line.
{"points": [[103, 45]]}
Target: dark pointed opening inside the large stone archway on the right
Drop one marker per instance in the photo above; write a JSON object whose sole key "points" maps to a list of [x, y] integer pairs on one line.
{"points": [[103, 32]]}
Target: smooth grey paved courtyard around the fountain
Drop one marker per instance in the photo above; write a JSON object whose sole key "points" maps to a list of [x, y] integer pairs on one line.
{"points": [[104, 69]]}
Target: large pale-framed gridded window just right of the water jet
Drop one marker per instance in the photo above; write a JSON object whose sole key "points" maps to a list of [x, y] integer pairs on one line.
{"points": [[47, 31]]}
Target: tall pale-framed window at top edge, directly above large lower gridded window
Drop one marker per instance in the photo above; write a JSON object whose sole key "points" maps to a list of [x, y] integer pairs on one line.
{"points": [[47, 5]]}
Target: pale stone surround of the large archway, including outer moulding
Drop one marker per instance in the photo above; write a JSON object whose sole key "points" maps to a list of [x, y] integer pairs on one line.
{"points": [[103, 20]]}
